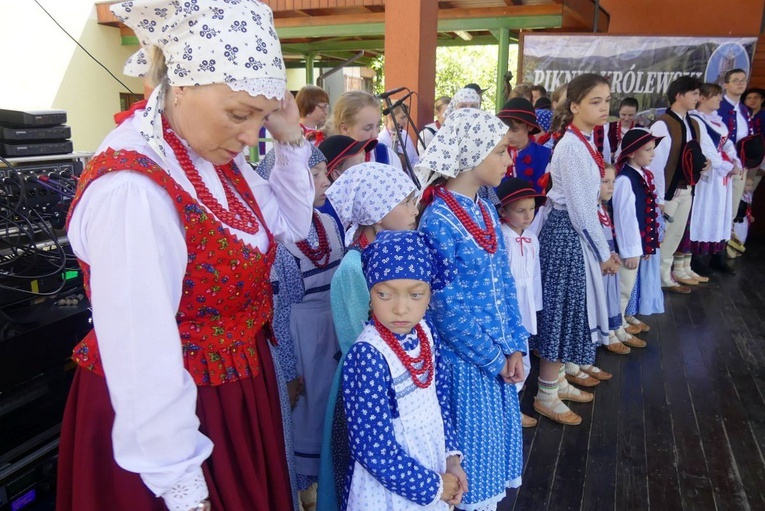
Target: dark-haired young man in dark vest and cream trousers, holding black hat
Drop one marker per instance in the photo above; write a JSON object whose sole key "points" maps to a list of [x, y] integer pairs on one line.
{"points": [[675, 175]]}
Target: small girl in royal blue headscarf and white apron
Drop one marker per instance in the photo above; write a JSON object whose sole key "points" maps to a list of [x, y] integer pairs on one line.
{"points": [[403, 445]]}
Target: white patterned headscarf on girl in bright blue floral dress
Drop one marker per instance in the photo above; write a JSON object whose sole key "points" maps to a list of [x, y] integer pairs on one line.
{"points": [[463, 142]]}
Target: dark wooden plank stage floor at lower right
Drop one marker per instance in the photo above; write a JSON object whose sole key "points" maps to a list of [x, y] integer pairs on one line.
{"points": [[681, 426]]}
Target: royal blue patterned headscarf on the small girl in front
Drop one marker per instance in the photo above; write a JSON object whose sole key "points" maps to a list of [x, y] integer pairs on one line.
{"points": [[404, 255]]}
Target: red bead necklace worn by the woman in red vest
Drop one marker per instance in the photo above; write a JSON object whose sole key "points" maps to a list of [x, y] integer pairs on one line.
{"points": [[240, 216]]}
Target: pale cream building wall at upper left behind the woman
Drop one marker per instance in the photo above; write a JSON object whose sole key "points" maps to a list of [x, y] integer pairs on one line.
{"points": [[44, 69]]}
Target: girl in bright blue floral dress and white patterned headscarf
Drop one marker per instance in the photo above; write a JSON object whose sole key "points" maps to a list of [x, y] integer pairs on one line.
{"points": [[476, 314]]}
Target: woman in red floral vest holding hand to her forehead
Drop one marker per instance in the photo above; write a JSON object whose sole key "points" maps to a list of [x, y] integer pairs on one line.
{"points": [[175, 394]]}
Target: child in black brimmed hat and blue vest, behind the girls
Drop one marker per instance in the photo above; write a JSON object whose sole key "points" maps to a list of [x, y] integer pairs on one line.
{"points": [[529, 158]]}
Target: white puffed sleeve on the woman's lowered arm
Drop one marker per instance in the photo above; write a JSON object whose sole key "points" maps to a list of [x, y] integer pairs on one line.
{"points": [[127, 230]]}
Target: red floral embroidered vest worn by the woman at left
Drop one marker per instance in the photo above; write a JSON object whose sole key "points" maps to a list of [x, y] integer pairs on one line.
{"points": [[227, 297]]}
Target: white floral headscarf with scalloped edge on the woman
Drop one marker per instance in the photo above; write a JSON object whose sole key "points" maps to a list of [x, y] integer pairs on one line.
{"points": [[204, 42]]}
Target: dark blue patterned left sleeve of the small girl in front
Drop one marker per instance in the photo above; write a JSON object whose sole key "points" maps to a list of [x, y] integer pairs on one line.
{"points": [[368, 395]]}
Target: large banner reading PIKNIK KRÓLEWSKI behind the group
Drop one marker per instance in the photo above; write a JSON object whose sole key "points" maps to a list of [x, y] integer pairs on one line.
{"points": [[637, 66]]}
